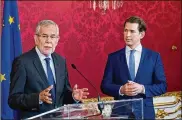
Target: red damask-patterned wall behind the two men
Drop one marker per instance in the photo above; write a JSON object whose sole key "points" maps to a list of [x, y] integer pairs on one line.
{"points": [[87, 36]]}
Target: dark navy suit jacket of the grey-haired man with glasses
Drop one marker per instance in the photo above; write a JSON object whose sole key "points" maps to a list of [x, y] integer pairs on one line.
{"points": [[28, 79]]}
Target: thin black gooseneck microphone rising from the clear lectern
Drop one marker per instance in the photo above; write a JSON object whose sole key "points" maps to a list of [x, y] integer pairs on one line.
{"points": [[100, 105]]}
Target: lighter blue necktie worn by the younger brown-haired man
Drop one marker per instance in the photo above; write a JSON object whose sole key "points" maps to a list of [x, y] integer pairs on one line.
{"points": [[132, 64]]}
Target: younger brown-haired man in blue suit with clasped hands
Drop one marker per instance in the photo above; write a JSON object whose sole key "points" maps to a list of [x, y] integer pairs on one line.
{"points": [[135, 71]]}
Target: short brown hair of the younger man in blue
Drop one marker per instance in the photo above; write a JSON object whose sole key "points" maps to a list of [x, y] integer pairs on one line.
{"points": [[135, 19]]}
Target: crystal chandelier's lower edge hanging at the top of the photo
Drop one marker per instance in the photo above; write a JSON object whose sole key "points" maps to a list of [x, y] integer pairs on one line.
{"points": [[106, 4]]}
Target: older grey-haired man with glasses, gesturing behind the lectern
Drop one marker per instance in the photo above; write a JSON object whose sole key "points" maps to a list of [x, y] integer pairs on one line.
{"points": [[39, 78]]}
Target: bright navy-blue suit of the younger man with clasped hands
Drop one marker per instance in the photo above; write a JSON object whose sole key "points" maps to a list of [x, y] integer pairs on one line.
{"points": [[150, 74]]}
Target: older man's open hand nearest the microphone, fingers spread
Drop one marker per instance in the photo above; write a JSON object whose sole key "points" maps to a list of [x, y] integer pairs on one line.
{"points": [[80, 94]]}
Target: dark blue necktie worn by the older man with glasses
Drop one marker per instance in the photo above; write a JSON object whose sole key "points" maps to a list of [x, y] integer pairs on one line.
{"points": [[50, 78]]}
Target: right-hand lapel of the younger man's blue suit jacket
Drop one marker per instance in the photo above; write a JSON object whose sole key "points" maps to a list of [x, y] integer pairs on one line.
{"points": [[143, 56]]}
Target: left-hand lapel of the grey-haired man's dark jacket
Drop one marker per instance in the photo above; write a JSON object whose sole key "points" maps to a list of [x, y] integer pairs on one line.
{"points": [[38, 65]]}
